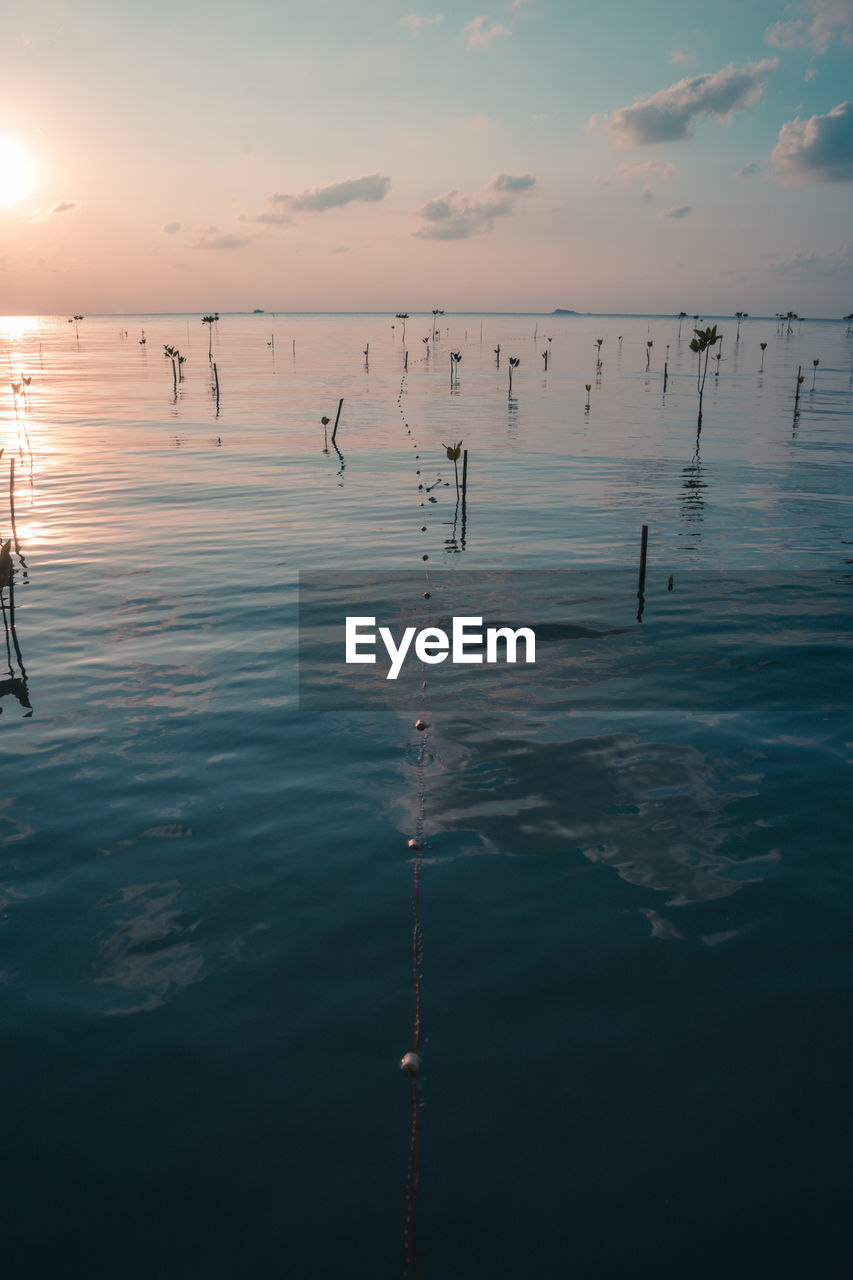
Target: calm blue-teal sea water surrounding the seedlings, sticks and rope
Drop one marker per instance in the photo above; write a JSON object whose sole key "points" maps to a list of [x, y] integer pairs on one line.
{"points": [[636, 893]]}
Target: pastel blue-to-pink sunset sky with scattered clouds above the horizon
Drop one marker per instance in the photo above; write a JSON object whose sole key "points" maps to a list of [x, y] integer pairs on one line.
{"points": [[376, 157]]}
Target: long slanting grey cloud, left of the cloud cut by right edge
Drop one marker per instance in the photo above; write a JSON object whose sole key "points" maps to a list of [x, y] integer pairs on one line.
{"points": [[668, 116]]}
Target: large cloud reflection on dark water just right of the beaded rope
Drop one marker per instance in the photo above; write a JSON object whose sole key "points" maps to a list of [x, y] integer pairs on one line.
{"points": [[655, 813]]}
